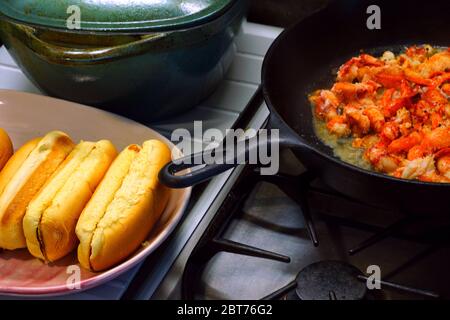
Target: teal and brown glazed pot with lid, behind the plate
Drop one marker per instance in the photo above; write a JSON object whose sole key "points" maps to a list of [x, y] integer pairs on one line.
{"points": [[144, 69]]}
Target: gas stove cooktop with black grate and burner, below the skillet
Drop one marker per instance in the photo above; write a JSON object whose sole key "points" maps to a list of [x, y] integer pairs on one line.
{"points": [[290, 237]]}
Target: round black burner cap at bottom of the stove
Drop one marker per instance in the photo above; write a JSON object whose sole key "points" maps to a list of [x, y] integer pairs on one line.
{"points": [[330, 280]]}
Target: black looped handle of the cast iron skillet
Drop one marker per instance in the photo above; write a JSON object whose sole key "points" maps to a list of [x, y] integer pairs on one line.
{"points": [[168, 175]]}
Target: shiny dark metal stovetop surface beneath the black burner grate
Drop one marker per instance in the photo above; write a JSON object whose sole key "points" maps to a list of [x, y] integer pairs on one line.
{"points": [[272, 221]]}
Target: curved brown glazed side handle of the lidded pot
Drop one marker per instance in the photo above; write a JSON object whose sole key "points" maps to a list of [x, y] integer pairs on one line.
{"points": [[85, 55]]}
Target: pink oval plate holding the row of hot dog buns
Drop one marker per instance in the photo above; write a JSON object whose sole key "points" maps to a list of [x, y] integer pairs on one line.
{"points": [[26, 116]]}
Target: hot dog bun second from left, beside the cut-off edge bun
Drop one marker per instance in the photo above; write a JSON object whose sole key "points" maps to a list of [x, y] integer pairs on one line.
{"points": [[22, 178]]}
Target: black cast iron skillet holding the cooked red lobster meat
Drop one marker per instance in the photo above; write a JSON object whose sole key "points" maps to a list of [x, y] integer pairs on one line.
{"points": [[301, 60]]}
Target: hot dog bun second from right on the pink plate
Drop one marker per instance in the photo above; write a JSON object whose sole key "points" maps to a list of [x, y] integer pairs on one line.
{"points": [[50, 220]]}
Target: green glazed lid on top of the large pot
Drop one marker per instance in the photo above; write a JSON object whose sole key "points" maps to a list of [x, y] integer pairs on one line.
{"points": [[114, 15]]}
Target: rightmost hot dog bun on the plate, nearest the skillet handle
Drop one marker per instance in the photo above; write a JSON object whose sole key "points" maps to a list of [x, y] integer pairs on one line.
{"points": [[124, 208]]}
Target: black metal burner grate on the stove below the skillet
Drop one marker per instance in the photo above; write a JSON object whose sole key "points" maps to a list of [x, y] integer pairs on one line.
{"points": [[338, 280]]}
